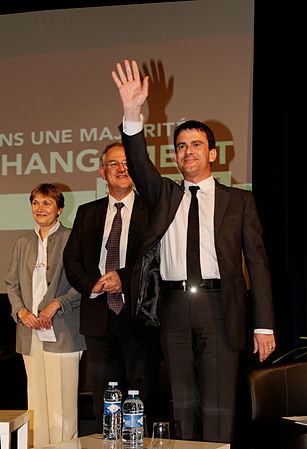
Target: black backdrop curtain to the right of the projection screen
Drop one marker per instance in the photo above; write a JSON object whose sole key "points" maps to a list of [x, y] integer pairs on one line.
{"points": [[279, 158]]}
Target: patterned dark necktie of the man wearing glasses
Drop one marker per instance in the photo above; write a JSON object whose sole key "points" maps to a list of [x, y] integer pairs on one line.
{"points": [[115, 301]]}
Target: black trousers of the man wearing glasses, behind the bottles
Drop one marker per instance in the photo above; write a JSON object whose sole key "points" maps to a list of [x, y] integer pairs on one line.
{"points": [[126, 353]]}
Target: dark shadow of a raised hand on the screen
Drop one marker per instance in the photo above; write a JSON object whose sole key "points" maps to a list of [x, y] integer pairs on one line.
{"points": [[160, 91]]}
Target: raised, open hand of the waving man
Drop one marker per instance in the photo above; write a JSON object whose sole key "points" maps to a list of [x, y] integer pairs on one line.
{"points": [[133, 92]]}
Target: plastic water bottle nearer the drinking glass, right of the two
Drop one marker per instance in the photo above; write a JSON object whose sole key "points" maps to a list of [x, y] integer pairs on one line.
{"points": [[133, 411]]}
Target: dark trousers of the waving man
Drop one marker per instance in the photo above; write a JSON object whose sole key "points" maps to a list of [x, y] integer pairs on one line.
{"points": [[202, 366]]}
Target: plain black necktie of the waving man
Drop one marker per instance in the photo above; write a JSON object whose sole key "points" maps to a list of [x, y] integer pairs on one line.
{"points": [[193, 257]]}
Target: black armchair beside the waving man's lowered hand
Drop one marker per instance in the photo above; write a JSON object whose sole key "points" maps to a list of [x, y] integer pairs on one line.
{"points": [[276, 392]]}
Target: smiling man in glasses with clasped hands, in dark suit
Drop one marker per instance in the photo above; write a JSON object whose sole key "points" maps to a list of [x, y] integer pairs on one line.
{"points": [[118, 346]]}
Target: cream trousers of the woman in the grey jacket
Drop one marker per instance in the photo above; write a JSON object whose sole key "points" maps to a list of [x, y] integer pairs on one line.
{"points": [[52, 393]]}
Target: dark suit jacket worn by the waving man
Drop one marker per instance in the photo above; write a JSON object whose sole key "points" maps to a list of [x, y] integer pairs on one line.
{"points": [[237, 229]]}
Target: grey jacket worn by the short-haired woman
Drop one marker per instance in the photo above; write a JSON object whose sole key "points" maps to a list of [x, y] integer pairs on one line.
{"points": [[19, 289]]}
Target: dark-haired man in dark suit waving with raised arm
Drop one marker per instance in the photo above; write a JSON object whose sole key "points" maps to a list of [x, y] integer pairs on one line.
{"points": [[203, 301]]}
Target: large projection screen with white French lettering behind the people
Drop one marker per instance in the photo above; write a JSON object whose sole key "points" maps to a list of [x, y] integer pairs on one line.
{"points": [[60, 106]]}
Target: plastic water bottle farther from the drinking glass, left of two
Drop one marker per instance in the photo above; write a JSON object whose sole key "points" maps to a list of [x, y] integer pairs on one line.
{"points": [[112, 418]]}
